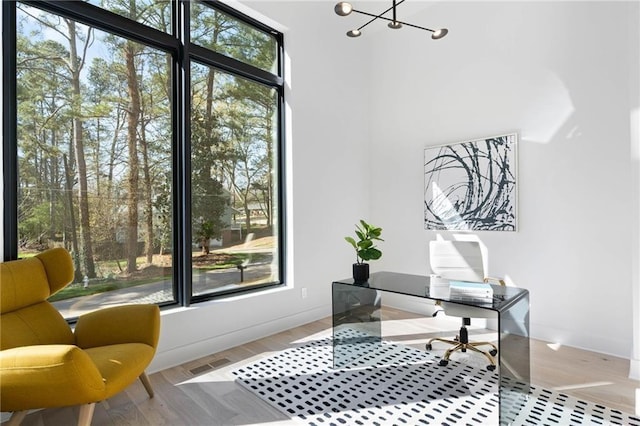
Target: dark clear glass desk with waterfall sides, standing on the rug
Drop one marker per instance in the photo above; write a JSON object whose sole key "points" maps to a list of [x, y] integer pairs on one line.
{"points": [[356, 306]]}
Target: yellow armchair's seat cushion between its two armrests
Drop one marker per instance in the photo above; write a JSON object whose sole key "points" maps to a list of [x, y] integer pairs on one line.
{"points": [[120, 364]]}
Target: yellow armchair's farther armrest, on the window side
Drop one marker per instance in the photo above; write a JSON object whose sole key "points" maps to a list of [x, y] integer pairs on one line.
{"points": [[119, 324]]}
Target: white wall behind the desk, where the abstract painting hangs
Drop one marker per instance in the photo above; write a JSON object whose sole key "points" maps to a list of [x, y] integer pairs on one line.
{"points": [[557, 73]]}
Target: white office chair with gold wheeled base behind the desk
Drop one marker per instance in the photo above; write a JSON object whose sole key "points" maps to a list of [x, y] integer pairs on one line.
{"points": [[462, 261]]}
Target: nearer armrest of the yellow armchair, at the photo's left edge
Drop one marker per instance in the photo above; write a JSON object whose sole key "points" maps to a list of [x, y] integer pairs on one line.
{"points": [[48, 376]]}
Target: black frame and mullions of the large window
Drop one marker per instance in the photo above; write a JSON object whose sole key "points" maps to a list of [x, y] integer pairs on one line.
{"points": [[183, 52]]}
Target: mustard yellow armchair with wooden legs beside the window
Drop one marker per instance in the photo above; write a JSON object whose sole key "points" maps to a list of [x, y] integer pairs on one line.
{"points": [[43, 363]]}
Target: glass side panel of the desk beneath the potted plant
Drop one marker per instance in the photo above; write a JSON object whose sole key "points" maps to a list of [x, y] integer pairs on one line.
{"points": [[356, 322]]}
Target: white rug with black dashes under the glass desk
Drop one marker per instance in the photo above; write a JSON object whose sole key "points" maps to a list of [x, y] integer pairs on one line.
{"points": [[406, 386]]}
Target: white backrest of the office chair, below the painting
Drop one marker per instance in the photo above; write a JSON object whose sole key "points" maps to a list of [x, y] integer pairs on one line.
{"points": [[457, 260]]}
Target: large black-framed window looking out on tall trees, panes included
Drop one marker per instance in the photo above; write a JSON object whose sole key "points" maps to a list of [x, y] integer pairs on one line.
{"points": [[146, 138]]}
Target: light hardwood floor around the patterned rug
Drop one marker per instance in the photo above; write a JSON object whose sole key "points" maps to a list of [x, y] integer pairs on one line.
{"points": [[203, 392]]}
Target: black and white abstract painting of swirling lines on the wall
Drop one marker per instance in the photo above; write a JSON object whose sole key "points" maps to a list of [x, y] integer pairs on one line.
{"points": [[471, 185]]}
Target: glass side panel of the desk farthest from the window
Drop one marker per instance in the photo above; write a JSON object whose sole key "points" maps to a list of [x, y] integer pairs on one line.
{"points": [[515, 379]]}
